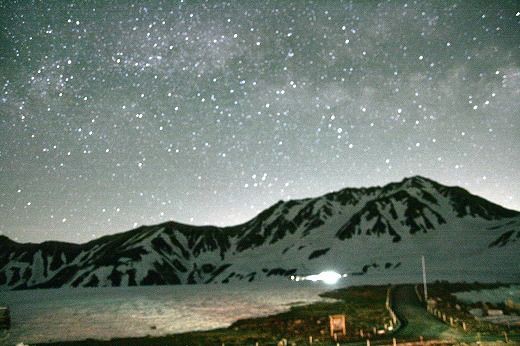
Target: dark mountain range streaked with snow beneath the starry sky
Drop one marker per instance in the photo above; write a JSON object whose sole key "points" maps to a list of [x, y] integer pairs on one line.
{"points": [[377, 232]]}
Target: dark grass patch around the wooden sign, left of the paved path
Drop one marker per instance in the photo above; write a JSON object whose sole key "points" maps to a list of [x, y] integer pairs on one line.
{"points": [[364, 307]]}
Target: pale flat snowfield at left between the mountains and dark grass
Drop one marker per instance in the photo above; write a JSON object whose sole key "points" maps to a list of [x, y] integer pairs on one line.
{"points": [[104, 313]]}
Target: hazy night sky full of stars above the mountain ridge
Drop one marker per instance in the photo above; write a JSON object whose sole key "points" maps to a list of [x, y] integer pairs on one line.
{"points": [[115, 114]]}
